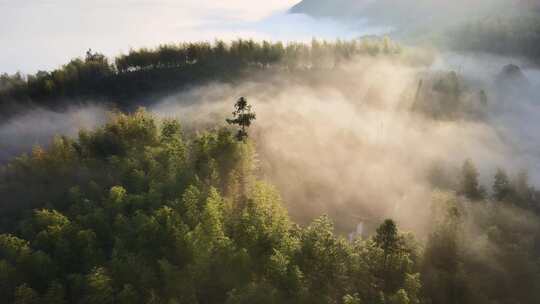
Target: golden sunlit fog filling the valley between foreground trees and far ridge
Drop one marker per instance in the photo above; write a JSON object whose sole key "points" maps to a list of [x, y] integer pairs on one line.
{"points": [[344, 141]]}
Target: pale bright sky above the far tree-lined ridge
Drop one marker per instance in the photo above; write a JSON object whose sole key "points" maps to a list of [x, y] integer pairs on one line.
{"points": [[43, 34]]}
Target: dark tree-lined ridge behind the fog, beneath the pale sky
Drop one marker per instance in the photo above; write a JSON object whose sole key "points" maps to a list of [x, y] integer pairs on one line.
{"points": [[141, 76]]}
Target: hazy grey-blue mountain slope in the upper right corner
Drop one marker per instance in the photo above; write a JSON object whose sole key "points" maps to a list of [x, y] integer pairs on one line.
{"points": [[501, 27]]}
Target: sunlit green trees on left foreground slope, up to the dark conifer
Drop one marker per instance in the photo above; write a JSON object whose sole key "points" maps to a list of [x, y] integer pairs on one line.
{"points": [[136, 212]]}
